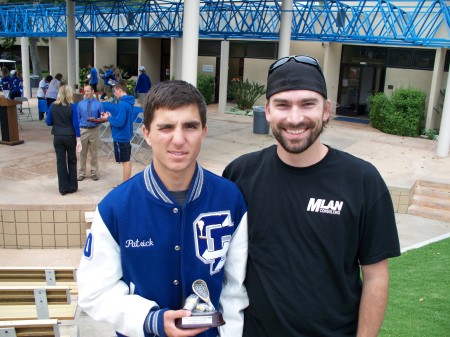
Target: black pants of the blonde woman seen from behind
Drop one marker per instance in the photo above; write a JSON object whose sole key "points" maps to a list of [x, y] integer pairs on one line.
{"points": [[66, 163]]}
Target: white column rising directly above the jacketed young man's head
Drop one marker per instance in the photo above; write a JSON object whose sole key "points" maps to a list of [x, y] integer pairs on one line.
{"points": [[191, 19]]}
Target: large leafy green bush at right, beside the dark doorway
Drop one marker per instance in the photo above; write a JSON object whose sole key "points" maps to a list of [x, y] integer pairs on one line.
{"points": [[401, 115]]}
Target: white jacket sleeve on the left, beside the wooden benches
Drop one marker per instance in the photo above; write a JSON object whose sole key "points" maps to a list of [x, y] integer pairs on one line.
{"points": [[101, 292]]}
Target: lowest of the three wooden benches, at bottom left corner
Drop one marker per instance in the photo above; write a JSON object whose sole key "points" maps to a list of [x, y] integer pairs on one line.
{"points": [[30, 328]]}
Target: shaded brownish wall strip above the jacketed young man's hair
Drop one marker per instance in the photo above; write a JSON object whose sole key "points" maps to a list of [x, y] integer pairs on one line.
{"points": [[150, 57]]}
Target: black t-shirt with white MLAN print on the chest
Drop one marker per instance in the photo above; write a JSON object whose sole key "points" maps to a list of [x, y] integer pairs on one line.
{"points": [[309, 231]]}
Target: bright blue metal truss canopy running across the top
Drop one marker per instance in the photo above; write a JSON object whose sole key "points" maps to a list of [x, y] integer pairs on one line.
{"points": [[386, 22]]}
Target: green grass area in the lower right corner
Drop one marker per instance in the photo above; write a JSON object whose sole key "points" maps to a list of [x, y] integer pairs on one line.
{"points": [[419, 293]]}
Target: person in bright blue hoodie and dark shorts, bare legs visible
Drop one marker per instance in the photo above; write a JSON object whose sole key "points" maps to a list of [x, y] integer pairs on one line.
{"points": [[122, 128]]}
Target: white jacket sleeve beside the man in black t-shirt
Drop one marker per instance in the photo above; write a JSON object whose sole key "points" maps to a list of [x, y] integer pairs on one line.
{"points": [[234, 299]]}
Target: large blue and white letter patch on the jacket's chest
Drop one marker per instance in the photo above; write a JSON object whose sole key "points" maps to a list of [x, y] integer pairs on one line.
{"points": [[213, 233]]}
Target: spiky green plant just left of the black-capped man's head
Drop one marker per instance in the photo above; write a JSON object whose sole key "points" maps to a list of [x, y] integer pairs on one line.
{"points": [[245, 93]]}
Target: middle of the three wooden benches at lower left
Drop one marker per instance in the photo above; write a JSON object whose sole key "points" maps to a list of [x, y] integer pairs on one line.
{"points": [[36, 302]]}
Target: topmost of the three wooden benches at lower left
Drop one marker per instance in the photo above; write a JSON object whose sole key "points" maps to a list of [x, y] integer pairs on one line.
{"points": [[33, 276]]}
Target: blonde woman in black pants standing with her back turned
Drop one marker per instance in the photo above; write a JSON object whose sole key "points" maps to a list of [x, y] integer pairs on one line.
{"points": [[63, 116]]}
